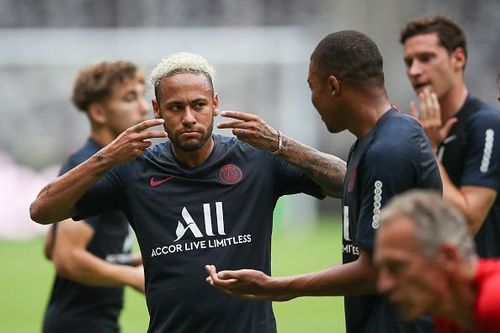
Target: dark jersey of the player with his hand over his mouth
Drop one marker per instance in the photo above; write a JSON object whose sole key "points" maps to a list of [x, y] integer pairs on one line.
{"points": [[470, 156]]}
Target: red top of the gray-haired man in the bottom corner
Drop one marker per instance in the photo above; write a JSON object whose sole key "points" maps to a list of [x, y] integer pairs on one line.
{"points": [[487, 306]]}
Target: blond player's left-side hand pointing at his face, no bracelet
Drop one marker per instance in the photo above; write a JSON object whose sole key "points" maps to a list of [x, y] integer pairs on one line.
{"points": [[132, 142]]}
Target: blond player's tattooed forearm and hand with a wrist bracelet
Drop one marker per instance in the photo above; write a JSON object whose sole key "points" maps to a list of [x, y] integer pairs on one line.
{"points": [[326, 170]]}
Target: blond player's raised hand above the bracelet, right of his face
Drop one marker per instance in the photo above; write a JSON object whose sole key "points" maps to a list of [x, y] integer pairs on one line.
{"points": [[251, 129]]}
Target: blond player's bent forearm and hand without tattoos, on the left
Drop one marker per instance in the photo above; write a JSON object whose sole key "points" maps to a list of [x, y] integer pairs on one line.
{"points": [[56, 201]]}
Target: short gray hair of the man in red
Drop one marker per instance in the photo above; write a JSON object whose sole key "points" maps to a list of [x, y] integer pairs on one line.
{"points": [[436, 222]]}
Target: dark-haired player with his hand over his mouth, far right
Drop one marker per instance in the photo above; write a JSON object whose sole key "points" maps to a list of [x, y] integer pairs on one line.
{"points": [[464, 132]]}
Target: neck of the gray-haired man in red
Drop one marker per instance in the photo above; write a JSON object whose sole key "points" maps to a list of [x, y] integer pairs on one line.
{"points": [[458, 305]]}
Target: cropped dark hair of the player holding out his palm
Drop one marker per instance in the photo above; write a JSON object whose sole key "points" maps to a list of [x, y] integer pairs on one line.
{"points": [[351, 56]]}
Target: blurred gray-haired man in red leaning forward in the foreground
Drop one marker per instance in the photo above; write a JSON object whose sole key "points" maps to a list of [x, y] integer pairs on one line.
{"points": [[427, 263]]}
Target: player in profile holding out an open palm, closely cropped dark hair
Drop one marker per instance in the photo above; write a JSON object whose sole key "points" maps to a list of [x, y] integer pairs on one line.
{"points": [[391, 155]]}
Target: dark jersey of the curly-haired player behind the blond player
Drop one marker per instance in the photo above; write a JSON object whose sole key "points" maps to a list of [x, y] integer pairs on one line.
{"points": [[75, 307]]}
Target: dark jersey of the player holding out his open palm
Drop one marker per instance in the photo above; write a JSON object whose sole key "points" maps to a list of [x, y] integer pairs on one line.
{"points": [[393, 157]]}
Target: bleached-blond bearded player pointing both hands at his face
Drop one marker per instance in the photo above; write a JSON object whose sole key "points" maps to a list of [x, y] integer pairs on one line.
{"points": [[196, 198]]}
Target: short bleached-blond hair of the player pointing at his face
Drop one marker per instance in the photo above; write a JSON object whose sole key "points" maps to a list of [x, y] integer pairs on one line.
{"points": [[181, 62]]}
